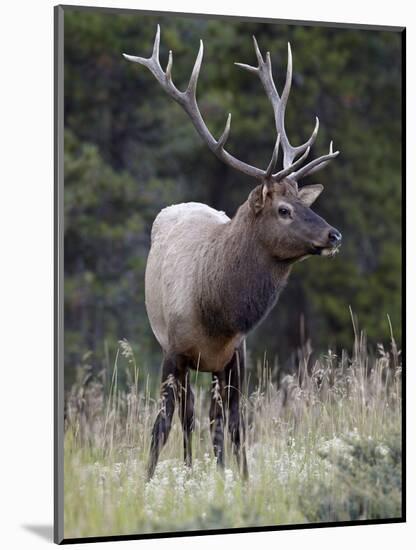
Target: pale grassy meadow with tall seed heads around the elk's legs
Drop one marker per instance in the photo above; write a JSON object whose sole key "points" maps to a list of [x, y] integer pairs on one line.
{"points": [[323, 444]]}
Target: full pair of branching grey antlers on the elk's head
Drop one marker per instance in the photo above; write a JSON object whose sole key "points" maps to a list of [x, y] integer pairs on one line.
{"points": [[187, 100]]}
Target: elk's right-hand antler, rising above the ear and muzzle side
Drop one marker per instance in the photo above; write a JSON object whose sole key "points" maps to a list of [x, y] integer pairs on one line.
{"points": [[264, 71]]}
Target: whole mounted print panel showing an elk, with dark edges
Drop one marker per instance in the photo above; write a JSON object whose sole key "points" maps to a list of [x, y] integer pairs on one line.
{"points": [[229, 324]]}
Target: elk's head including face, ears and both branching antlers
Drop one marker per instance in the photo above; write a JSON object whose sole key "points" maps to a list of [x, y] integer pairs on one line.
{"points": [[285, 223]]}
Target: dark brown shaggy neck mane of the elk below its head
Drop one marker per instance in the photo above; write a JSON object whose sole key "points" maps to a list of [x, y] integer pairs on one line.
{"points": [[239, 281]]}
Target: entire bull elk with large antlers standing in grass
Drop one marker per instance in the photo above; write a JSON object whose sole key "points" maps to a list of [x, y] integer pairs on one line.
{"points": [[211, 279]]}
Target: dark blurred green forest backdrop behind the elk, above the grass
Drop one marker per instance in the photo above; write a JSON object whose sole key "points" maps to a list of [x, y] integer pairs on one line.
{"points": [[130, 151]]}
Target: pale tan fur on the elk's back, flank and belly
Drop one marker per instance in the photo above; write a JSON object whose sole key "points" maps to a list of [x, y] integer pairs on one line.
{"points": [[181, 238]]}
